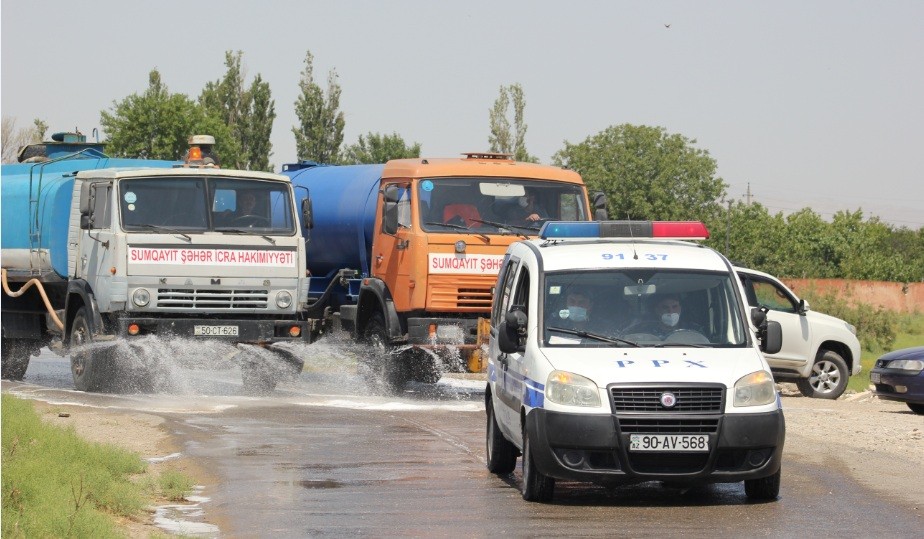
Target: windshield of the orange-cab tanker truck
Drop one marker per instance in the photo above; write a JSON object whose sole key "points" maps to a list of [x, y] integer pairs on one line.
{"points": [[496, 205]]}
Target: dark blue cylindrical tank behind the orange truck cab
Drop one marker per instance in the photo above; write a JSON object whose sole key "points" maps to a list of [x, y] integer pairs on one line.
{"points": [[344, 203]]}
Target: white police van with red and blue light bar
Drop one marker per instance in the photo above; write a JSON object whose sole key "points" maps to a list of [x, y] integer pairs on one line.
{"points": [[620, 355]]}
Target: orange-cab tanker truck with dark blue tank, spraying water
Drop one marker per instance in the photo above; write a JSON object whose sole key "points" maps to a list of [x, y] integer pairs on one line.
{"points": [[405, 255]]}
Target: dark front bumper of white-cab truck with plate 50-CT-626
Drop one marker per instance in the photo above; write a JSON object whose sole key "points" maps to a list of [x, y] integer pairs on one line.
{"points": [[232, 330]]}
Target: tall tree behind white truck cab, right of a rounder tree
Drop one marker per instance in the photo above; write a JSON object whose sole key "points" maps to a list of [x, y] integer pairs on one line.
{"points": [[248, 113]]}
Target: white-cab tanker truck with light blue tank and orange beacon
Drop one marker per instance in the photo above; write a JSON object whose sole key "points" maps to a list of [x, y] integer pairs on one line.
{"points": [[99, 252]]}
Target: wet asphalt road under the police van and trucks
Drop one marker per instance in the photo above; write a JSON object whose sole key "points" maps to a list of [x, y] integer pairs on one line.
{"points": [[328, 456]]}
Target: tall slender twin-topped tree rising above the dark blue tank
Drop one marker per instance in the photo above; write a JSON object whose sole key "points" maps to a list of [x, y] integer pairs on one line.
{"points": [[320, 131]]}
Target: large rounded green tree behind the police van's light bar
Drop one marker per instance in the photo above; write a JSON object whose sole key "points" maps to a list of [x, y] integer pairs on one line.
{"points": [[647, 173]]}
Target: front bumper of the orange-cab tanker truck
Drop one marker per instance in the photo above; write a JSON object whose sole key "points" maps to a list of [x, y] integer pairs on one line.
{"points": [[467, 335]]}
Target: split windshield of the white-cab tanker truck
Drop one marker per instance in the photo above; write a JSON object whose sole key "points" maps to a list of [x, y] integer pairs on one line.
{"points": [[195, 204]]}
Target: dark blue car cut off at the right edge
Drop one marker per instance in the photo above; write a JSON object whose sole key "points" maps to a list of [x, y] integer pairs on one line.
{"points": [[899, 376]]}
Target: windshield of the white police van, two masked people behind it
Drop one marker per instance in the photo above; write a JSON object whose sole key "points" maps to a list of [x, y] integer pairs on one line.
{"points": [[645, 308]]}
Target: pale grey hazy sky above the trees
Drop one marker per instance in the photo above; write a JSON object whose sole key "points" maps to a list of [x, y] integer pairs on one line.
{"points": [[817, 104]]}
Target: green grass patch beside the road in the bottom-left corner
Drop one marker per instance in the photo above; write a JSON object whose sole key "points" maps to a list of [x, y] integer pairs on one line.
{"points": [[54, 484]]}
